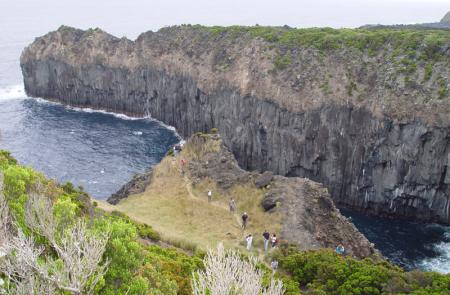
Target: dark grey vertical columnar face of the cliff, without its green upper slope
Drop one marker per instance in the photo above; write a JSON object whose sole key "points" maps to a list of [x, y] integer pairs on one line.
{"points": [[370, 162]]}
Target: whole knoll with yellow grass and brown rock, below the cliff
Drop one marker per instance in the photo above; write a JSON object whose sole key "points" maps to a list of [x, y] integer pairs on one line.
{"points": [[175, 202]]}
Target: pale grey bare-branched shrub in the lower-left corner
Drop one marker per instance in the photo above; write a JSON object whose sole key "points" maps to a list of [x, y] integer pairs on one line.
{"points": [[75, 266]]}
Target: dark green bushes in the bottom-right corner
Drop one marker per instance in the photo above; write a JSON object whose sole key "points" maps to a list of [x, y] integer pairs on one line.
{"points": [[325, 272]]}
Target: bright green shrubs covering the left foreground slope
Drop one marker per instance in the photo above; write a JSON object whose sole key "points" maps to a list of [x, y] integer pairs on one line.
{"points": [[132, 267]]}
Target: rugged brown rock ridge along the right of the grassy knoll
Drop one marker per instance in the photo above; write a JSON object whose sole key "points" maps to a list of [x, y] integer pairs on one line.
{"points": [[309, 217]]}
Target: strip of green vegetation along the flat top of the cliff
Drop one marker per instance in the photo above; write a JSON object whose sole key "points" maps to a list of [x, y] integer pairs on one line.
{"points": [[430, 42]]}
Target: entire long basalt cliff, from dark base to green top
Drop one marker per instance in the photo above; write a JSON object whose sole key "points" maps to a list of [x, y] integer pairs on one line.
{"points": [[365, 112]]}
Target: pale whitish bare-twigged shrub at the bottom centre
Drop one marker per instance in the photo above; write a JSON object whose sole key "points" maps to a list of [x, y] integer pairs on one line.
{"points": [[227, 274]]}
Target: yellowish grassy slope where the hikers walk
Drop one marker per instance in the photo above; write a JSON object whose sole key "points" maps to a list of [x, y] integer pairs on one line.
{"points": [[181, 213]]}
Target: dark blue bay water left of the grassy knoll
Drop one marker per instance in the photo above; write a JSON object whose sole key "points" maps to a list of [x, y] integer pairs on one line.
{"points": [[96, 150]]}
